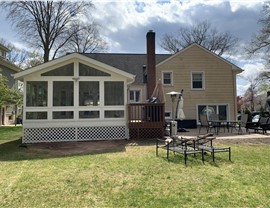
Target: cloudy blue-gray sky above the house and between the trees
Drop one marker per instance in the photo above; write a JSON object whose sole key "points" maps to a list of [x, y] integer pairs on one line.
{"points": [[124, 24]]}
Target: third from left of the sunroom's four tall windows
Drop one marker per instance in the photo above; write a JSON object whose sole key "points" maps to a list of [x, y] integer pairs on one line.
{"points": [[89, 93]]}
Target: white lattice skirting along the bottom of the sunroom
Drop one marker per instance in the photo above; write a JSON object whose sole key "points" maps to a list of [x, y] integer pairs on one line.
{"points": [[64, 134]]}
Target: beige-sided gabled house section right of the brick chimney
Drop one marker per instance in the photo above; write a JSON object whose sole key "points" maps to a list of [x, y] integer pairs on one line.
{"points": [[208, 81]]}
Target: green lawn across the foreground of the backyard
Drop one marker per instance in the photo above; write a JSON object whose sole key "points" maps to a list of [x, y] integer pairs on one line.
{"points": [[131, 178]]}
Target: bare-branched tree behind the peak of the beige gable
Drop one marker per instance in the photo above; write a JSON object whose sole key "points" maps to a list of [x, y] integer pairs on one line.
{"points": [[202, 34]]}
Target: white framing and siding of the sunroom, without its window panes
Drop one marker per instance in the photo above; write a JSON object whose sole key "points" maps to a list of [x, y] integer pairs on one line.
{"points": [[76, 129]]}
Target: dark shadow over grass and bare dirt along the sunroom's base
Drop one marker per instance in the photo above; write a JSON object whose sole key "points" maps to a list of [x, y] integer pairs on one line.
{"points": [[16, 151]]}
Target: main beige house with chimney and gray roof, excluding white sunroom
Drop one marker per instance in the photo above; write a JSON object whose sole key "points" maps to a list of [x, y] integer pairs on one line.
{"points": [[208, 80]]}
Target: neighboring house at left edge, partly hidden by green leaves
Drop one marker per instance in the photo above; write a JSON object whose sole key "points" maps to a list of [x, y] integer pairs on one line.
{"points": [[7, 69]]}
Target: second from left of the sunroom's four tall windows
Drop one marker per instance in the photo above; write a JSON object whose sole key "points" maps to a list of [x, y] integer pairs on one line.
{"points": [[62, 93]]}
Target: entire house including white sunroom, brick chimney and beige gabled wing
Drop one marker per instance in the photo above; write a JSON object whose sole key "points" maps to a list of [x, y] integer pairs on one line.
{"points": [[82, 97]]}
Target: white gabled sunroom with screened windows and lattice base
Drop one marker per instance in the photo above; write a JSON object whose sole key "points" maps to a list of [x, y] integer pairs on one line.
{"points": [[74, 98]]}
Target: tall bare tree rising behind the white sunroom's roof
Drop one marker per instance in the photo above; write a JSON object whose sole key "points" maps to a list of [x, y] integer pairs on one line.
{"points": [[46, 25]]}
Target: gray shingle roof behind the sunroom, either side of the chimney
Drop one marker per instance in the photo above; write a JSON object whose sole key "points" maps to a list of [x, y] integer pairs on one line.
{"points": [[131, 63]]}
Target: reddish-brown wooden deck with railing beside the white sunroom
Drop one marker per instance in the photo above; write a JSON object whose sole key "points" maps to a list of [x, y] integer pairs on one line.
{"points": [[146, 120]]}
